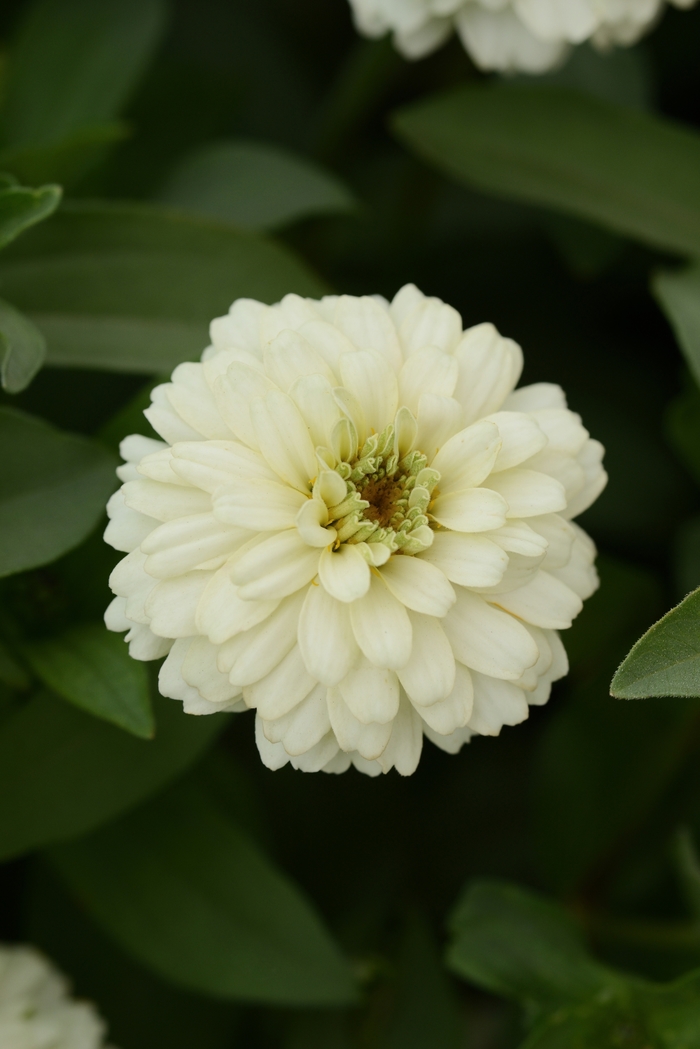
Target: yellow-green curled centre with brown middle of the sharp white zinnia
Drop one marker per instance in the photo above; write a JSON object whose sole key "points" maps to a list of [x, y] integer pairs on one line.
{"points": [[388, 497]]}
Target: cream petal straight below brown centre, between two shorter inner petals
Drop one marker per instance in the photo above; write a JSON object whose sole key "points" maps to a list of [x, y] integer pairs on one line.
{"points": [[381, 627]]}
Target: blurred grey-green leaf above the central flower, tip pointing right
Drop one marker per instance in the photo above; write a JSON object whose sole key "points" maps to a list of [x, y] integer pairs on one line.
{"points": [[254, 186]]}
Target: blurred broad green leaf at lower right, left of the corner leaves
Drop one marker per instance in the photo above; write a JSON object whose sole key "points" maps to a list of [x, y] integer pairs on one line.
{"points": [[516, 944]]}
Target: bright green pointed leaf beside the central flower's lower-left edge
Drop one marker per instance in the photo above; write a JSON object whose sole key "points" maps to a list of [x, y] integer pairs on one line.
{"points": [[92, 668]]}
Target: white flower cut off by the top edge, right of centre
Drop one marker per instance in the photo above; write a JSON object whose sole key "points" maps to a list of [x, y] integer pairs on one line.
{"points": [[531, 36]]}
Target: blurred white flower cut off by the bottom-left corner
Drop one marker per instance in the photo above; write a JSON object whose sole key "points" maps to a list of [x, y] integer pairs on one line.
{"points": [[36, 1011]]}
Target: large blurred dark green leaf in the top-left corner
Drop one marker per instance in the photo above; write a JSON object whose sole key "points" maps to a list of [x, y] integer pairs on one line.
{"points": [[76, 63]]}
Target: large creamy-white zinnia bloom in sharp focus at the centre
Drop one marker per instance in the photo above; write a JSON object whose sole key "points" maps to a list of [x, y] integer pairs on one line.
{"points": [[355, 527]]}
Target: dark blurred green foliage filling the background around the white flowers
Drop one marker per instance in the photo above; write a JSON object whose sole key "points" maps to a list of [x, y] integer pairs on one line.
{"points": [[217, 149]]}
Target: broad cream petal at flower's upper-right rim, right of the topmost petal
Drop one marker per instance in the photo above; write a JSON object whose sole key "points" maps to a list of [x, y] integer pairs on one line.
{"points": [[490, 370]]}
